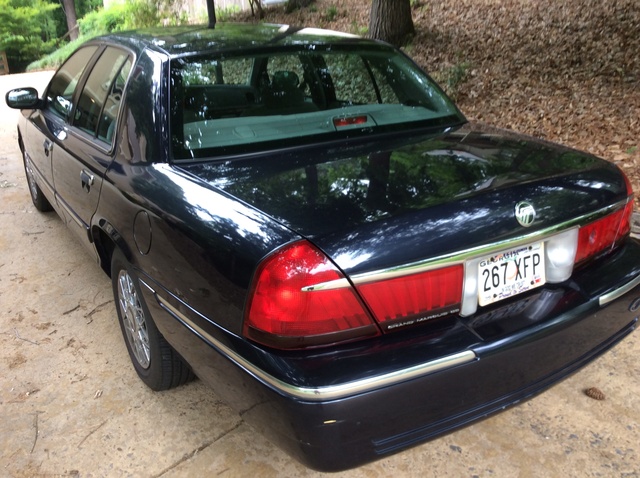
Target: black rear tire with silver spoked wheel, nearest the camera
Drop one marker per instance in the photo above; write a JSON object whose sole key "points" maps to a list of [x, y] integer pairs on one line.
{"points": [[155, 361]]}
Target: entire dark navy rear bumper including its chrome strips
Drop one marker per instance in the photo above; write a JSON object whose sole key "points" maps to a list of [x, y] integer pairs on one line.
{"points": [[331, 412]]}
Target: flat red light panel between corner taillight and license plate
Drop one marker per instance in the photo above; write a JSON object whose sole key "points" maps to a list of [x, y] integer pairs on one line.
{"points": [[414, 298]]}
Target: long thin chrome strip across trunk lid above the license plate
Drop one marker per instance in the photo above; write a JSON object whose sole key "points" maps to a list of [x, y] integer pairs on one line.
{"points": [[463, 256]]}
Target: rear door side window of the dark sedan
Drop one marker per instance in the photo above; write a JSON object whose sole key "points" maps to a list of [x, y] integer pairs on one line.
{"points": [[99, 101]]}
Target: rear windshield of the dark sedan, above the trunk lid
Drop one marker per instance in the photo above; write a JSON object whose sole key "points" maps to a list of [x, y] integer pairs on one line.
{"points": [[227, 105]]}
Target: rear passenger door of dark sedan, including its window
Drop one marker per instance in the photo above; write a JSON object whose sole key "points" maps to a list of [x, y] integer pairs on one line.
{"points": [[85, 151]]}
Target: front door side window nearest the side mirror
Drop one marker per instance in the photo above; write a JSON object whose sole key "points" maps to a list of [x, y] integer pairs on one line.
{"points": [[59, 96]]}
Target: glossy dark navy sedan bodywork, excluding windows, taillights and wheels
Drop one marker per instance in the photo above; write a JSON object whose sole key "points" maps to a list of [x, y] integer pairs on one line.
{"points": [[196, 232]]}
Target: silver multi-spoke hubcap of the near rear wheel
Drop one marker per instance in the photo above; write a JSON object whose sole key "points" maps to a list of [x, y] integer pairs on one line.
{"points": [[133, 318]]}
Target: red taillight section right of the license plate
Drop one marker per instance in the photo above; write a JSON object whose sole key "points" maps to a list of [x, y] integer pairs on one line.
{"points": [[604, 233]]}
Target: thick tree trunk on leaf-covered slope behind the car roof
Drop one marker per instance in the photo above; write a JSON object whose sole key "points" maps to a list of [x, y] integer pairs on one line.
{"points": [[391, 21]]}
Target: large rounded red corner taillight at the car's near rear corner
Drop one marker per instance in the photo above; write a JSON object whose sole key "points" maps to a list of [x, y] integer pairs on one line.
{"points": [[287, 311]]}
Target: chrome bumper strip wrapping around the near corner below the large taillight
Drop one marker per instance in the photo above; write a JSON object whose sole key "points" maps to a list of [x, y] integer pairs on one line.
{"points": [[329, 392]]}
